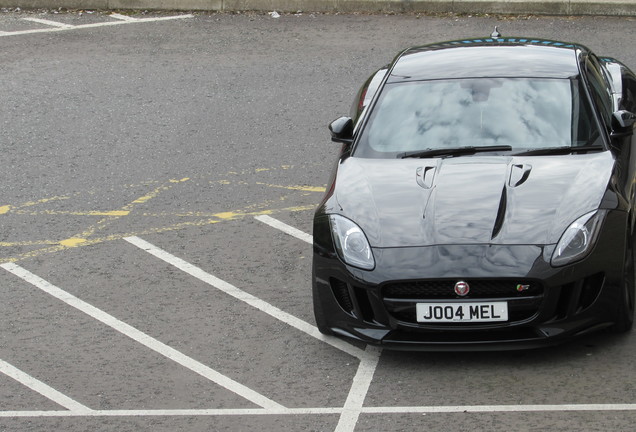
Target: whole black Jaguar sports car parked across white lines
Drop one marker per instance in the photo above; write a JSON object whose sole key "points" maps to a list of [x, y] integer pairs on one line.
{"points": [[483, 199]]}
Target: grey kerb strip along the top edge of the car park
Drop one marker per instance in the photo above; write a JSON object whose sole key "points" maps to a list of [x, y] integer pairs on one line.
{"points": [[542, 7]]}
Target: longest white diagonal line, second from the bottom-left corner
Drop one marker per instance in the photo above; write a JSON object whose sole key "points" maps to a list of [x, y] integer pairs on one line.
{"points": [[142, 338]]}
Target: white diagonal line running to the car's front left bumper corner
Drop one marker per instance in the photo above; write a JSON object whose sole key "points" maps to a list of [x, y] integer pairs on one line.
{"points": [[253, 301]]}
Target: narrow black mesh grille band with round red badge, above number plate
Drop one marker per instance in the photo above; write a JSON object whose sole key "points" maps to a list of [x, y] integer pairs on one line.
{"points": [[444, 289]]}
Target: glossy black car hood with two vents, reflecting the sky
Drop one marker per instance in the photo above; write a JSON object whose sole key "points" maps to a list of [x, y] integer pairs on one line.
{"points": [[470, 200]]}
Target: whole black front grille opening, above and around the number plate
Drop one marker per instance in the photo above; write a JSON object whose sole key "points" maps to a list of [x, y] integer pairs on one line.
{"points": [[524, 297]]}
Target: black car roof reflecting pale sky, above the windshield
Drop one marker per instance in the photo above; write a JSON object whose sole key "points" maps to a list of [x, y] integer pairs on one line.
{"points": [[489, 57]]}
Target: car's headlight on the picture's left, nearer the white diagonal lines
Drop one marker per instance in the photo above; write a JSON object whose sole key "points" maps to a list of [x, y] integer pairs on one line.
{"points": [[351, 243]]}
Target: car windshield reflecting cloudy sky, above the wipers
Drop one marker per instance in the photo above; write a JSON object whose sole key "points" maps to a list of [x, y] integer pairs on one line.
{"points": [[523, 113]]}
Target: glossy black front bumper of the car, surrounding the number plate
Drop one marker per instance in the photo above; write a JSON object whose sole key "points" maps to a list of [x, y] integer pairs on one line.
{"points": [[378, 306]]}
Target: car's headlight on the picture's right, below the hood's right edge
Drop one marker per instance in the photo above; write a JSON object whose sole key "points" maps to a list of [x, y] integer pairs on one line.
{"points": [[578, 239]]}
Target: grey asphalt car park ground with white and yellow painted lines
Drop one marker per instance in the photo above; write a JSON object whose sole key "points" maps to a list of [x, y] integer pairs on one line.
{"points": [[156, 252]]}
